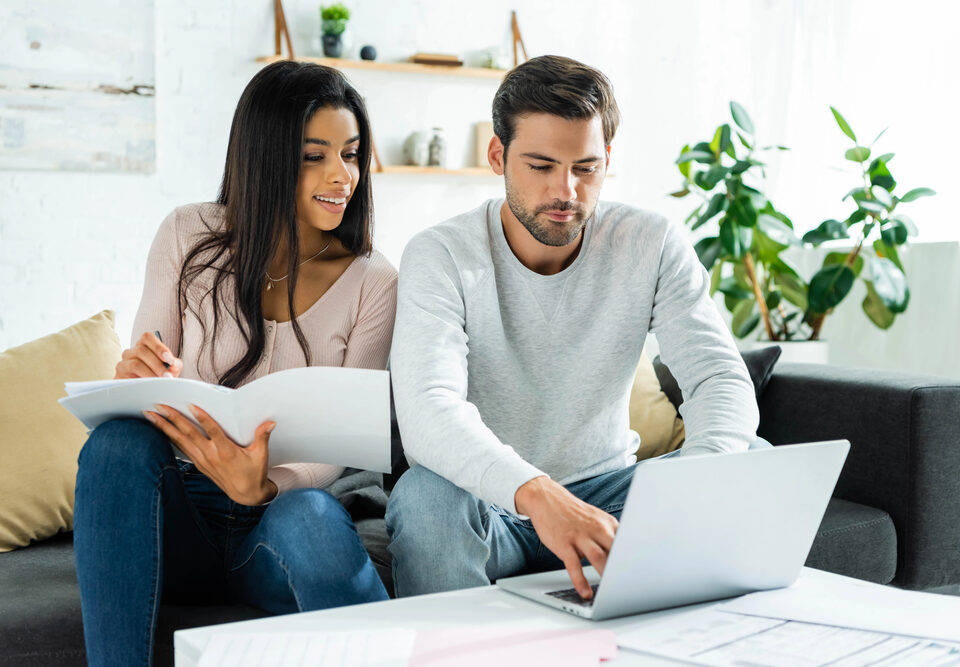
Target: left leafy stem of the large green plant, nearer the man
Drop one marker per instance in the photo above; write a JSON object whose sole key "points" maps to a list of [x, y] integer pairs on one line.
{"points": [[743, 258]]}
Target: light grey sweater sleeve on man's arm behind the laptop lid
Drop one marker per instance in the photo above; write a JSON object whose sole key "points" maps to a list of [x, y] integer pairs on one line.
{"points": [[719, 408]]}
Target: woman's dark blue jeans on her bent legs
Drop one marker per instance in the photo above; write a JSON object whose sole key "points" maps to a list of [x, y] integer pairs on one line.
{"points": [[148, 526]]}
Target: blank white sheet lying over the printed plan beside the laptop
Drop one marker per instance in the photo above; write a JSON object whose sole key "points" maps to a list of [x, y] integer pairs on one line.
{"points": [[852, 604]]}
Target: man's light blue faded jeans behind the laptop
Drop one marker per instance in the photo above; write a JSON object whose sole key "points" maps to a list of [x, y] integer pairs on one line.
{"points": [[443, 538]]}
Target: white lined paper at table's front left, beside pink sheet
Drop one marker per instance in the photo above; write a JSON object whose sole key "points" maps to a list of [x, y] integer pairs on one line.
{"points": [[375, 648]]}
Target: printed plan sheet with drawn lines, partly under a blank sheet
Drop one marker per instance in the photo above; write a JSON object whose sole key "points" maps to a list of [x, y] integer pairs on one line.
{"points": [[713, 637]]}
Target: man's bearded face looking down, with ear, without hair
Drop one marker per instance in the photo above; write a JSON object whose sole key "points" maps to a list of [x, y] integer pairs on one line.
{"points": [[553, 173]]}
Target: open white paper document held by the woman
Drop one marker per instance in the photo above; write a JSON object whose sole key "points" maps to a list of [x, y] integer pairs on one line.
{"points": [[324, 414]]}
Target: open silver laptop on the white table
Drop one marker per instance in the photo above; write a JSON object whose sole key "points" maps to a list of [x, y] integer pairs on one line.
{"points": [[704, 528]]}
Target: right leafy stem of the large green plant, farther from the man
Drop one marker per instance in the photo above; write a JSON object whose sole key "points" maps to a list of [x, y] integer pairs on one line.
{"points": [[876, 263]]}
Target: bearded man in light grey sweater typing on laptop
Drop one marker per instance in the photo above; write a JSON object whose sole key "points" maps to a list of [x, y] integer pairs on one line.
{"points": [[519, 328]]}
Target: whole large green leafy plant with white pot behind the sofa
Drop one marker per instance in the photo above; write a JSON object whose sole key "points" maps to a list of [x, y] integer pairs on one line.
{"points": [[744, 258]]}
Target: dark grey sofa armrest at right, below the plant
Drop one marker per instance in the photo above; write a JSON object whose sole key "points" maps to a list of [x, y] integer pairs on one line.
{"points": [[904, 433]]}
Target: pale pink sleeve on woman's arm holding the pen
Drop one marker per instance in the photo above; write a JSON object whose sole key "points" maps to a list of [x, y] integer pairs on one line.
{"points": [[159, 307]]}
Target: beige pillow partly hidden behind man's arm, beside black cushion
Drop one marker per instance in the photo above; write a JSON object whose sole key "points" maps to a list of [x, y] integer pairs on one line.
{"points": [[652, 415]]}
